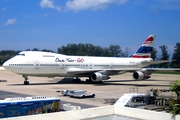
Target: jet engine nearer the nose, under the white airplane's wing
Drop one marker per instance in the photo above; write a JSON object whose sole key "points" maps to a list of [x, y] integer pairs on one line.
{"points": [[97, 76]]}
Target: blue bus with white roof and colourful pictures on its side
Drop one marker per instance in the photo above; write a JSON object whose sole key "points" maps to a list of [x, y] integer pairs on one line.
{"points": [[12, 107]]}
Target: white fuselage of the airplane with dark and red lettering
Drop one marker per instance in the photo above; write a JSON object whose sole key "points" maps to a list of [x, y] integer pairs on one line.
{"points": [[31, 63]]}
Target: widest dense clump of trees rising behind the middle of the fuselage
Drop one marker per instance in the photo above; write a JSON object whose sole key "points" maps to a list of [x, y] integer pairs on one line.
{"points": [[90, 50]]}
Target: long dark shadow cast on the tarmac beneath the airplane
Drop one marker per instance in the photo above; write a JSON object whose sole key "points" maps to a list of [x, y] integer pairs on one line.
{"points": [[109, 82]]}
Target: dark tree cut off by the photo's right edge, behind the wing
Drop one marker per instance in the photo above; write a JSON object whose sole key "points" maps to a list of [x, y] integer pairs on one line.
{"points": [[176, 56]]}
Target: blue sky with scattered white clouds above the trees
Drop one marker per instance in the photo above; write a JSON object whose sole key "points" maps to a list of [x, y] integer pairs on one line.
{"points": [[28, 24]]}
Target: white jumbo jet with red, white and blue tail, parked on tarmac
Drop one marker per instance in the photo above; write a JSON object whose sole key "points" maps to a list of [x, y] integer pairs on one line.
{"points": [[44, 64]]}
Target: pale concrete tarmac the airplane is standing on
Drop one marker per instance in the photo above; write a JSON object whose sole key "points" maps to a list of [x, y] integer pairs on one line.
{"points": [[110, 89]]}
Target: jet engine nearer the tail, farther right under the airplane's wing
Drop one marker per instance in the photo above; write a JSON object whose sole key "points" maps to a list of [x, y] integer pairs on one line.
{"points": [[140, 75]]}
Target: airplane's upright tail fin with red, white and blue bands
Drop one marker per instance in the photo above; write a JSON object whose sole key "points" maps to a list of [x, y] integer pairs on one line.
{"points": [[146, 48]]}
